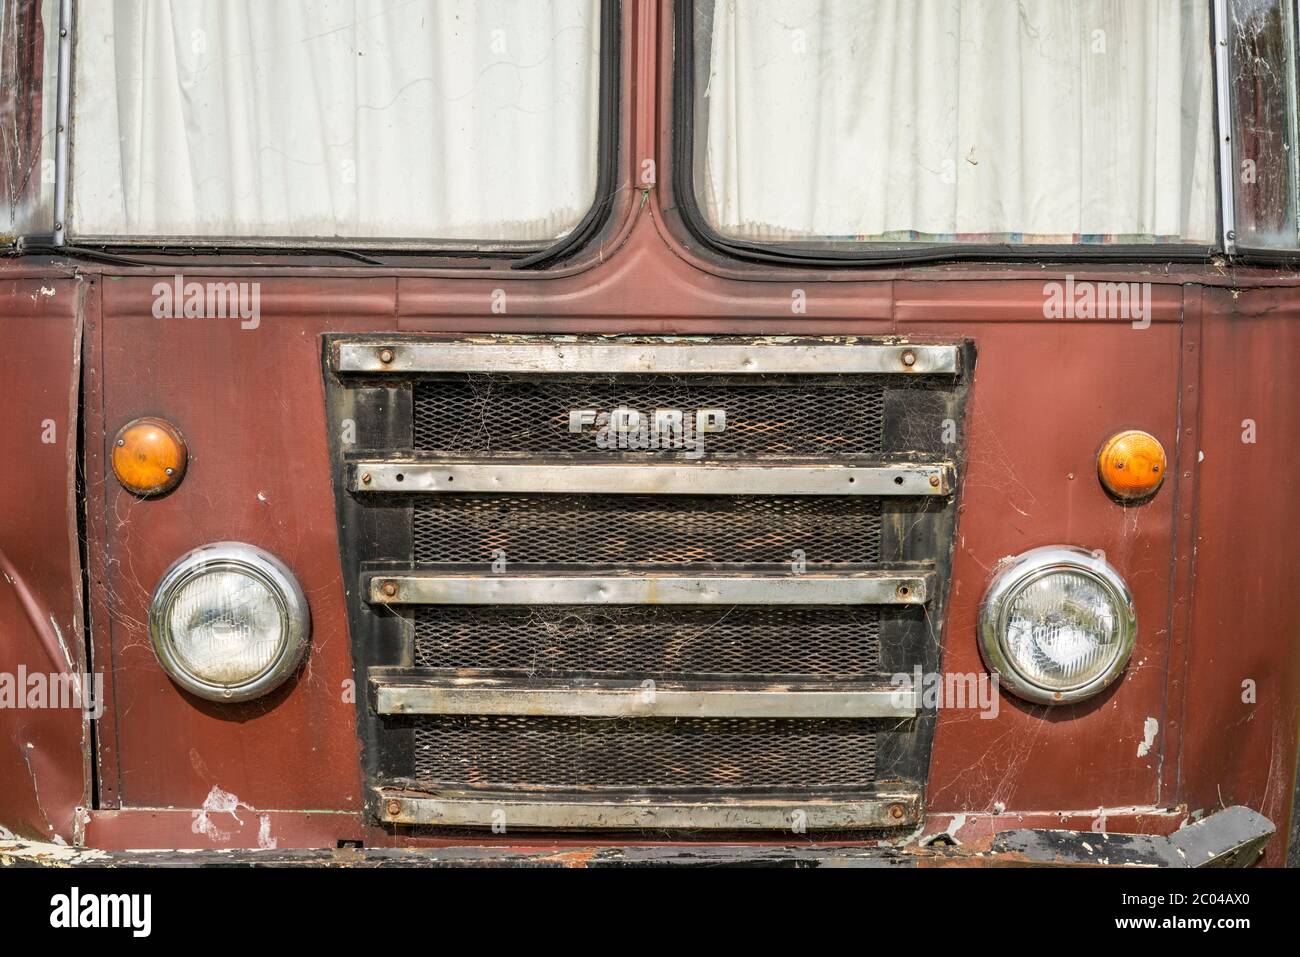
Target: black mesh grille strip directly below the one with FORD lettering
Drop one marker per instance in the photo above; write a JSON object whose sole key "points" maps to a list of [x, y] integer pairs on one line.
{"points": [[647, 530]]}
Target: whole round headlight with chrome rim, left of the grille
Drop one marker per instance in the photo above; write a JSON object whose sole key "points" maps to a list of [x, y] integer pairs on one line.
{"points": [[229, 622]]}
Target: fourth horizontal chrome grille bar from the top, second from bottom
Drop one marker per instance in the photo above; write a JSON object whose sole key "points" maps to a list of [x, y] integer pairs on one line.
{"points": [[622, 699]]}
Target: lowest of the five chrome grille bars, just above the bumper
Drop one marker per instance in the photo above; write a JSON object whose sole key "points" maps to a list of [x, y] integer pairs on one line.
{"points": [[695, 813]]}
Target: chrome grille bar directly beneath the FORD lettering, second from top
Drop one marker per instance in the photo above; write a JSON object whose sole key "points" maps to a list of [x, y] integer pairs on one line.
{"points": [[658, 479]]}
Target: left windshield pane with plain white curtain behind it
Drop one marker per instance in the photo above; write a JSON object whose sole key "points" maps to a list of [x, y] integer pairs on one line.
{"points": [[444, 120]]}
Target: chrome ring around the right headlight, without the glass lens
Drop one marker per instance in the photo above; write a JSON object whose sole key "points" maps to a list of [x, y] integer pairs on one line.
{"points": [[1024, 571]]}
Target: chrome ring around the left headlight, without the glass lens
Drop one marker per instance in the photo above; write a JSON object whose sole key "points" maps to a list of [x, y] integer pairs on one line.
{"points": [[266, 569]]}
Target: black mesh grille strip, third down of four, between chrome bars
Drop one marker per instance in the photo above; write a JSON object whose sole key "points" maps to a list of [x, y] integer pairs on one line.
{"points": [[657, 640]]}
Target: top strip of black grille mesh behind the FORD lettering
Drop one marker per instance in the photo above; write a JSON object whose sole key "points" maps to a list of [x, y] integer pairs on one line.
{"points": [[501, 414]]}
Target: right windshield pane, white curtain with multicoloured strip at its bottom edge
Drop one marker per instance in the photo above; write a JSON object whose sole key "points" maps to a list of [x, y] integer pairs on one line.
{"points": [[955, 122]]}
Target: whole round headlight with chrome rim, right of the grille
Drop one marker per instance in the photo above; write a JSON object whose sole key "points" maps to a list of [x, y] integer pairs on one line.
{"points": [[1058, 625]]}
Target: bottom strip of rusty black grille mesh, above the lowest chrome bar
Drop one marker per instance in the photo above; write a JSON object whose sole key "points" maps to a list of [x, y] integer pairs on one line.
{"points": [[575, 754]]}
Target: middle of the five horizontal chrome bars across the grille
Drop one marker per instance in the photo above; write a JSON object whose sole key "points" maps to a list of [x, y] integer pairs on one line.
{"points": [[848, 588]]}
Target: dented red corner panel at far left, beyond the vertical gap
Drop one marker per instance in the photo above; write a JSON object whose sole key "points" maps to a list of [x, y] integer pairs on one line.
{"points": [[44, 752]]}
